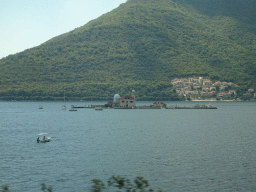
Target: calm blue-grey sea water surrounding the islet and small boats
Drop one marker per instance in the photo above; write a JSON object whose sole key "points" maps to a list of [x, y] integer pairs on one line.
{"points": [[175, 150]]}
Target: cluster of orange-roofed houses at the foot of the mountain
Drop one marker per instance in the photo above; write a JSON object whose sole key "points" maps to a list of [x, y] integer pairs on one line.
{"points": [[199, 88]]}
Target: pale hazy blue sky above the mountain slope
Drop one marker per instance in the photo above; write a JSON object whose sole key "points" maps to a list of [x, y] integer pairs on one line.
{"points": [[28, 23]]}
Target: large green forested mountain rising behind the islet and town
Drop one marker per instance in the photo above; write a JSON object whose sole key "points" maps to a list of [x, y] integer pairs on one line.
{"points": [[140, 45]]}
